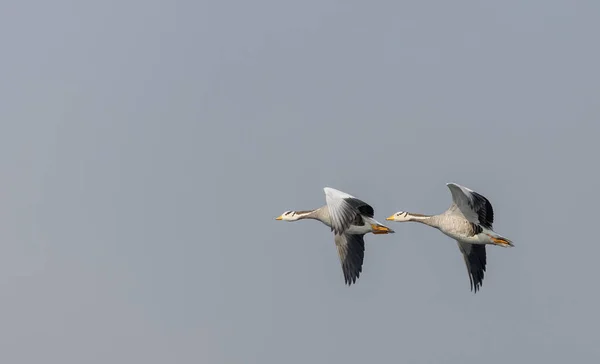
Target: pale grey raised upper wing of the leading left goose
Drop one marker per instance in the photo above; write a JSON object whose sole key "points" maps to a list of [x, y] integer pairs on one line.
{"points": [[343, 209]]}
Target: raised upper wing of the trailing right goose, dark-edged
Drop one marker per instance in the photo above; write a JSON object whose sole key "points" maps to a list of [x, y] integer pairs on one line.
{"points": [[476, 208]]}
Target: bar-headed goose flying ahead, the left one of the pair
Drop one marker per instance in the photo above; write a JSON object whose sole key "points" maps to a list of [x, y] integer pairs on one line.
{"points": [[350, 219]]}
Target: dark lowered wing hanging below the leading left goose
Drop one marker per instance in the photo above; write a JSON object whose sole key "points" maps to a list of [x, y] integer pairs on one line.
{"points": [[351, 250]]}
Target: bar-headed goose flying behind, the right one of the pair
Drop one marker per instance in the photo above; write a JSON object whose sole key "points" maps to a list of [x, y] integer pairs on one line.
{"points": [[468, 221]]}
